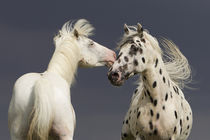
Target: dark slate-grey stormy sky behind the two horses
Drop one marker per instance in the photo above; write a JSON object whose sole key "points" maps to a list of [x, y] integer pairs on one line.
{"points": [[27, 29]]}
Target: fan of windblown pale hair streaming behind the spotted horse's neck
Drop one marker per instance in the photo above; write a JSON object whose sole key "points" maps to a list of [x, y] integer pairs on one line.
{"points": [[176, 64]]}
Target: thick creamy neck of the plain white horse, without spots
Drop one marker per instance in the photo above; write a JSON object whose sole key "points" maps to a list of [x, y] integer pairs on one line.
{"points": [[65, 60]]}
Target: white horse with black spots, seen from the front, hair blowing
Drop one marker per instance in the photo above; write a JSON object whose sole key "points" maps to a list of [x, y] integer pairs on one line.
{"points": [[158, 108]]}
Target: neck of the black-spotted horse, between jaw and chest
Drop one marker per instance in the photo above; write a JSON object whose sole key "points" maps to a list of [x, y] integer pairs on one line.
{"points": [[156, 80]]}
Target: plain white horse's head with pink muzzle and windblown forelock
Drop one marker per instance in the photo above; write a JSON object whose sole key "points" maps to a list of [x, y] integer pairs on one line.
{"points": [[91, 53]]}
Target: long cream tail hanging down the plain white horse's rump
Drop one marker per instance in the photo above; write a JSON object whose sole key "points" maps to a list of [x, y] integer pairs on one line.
{"points": [[41, 117]]}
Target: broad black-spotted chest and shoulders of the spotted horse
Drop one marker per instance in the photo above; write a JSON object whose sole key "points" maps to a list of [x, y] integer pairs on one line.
{"points": [[163, 117]]}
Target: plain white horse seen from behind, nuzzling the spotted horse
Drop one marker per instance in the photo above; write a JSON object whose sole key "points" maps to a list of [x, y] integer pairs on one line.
{"points": [[41, 107]]}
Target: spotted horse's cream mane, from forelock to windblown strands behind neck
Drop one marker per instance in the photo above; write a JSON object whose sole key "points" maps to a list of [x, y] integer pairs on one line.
{"points": [[176, 63]]}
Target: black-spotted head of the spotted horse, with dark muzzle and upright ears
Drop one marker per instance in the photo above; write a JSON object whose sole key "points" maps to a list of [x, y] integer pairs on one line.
{"points": [[137, 52]]}
